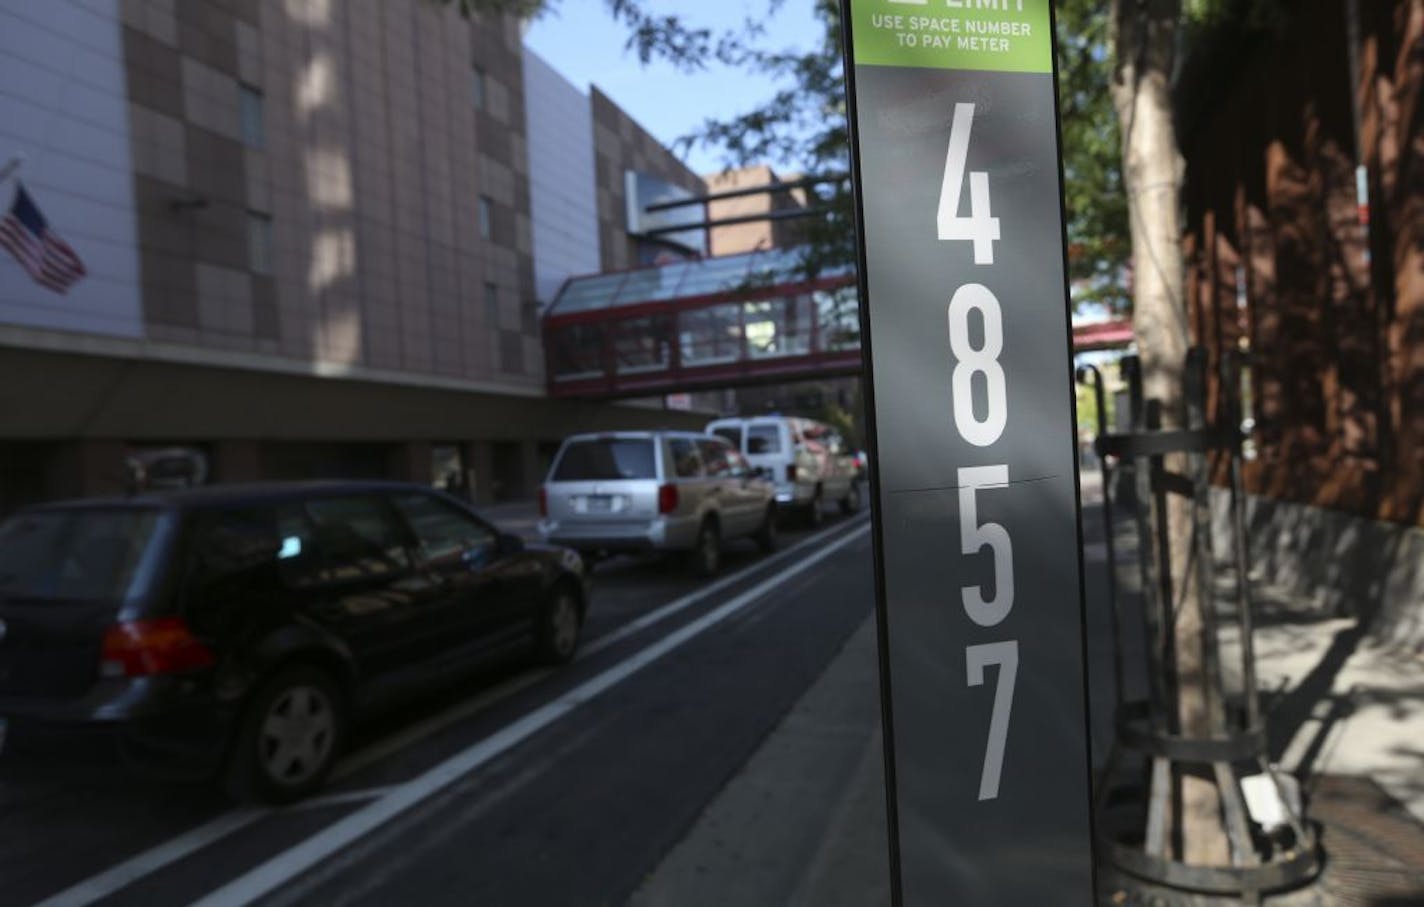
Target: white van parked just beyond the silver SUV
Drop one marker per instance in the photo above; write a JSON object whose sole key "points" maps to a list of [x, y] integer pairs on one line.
{"points": [[808, 461]]}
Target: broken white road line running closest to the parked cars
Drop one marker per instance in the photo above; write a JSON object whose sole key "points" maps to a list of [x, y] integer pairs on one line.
{"points": [[155, 859]]}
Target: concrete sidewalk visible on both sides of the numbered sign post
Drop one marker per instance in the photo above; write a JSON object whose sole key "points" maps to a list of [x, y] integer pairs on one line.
{"points": [[804, 824]]}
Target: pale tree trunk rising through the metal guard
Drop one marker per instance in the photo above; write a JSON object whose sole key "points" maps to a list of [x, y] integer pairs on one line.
{"points": [[1146, 35]]}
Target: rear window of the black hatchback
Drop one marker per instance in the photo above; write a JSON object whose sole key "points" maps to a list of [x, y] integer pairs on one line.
{"points": [[75, 555]]}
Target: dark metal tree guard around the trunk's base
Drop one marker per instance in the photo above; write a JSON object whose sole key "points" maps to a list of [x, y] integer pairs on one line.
{"points": [[1267, 854]]}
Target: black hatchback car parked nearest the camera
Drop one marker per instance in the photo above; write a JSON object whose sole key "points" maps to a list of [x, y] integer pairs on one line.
{"points": [[239, 631]]}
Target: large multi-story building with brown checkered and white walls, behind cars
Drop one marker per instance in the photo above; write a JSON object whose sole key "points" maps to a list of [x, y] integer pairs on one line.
{"points": [[318, 237]]}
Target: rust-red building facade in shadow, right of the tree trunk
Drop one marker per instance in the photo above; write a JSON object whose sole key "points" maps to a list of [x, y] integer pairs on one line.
{"points": [[1305, 248]]}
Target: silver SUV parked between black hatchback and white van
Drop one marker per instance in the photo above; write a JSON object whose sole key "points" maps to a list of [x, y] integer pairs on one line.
{"points": [[656, 492]]}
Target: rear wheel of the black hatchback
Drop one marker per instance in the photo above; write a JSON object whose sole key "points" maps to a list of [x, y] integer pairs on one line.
{"points": [[290, 738]]}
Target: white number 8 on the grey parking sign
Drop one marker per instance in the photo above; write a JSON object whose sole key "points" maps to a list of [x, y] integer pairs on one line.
{"points": [[970, 362]]}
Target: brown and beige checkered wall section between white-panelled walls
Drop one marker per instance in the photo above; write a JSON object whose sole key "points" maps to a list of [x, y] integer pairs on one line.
{"points": [[371, 170]]}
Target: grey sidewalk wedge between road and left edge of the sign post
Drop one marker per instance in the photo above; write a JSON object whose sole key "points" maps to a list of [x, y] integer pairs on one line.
{"points": [[804, 825]]}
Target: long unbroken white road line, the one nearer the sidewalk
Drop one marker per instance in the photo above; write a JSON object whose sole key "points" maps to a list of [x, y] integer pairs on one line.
{"points": [[281, 869]]}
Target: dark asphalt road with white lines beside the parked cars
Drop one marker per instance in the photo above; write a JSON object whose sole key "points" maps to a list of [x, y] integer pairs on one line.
{"points": [[523, 787]]}
